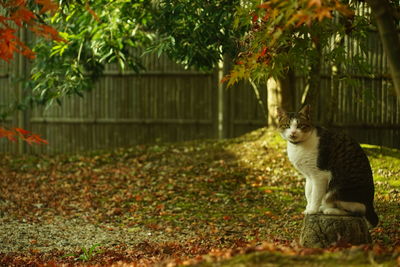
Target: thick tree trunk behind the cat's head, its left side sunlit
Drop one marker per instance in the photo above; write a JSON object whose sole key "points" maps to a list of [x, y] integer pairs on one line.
{"points": [[280, 94]]}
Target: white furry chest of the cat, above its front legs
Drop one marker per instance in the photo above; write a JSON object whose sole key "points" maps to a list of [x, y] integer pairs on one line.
{"points": [[304, 156]]}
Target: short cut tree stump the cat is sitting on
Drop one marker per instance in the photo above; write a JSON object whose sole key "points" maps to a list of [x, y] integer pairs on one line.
{"points": [[322, 231]]}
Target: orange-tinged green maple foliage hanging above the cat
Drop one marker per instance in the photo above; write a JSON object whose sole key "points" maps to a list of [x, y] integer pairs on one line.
{"points": [[294, 34]]}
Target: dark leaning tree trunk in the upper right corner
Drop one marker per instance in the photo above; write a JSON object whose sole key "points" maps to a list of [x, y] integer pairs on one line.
{"points": [[382, 11]]}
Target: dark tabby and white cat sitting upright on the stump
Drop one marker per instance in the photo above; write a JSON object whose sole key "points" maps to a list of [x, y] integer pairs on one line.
{"points": [[338, 174]]}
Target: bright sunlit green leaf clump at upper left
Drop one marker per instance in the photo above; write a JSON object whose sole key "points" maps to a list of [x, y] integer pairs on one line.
{"points": [[96, 33]]}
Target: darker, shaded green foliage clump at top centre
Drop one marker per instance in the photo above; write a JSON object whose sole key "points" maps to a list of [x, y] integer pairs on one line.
{"points": [[196, 33]]}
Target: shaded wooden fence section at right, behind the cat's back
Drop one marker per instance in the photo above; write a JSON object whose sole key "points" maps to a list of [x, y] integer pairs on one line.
{"points": [[371, 112]]}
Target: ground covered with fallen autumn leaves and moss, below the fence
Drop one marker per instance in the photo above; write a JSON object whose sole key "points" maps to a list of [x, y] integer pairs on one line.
{"points": [[235, 202]]}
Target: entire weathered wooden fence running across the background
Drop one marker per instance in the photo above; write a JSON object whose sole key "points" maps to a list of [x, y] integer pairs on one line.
{"points": [[168, 103]]}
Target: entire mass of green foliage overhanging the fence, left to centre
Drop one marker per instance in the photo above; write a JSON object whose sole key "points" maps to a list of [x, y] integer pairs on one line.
{"points": [[193, 33]]}
